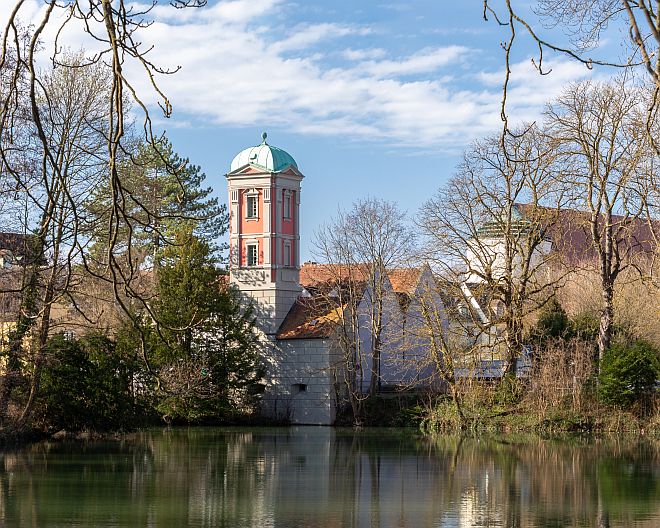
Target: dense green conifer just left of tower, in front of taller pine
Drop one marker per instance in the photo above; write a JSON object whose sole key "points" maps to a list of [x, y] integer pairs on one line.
{"points": [[206, 349]]}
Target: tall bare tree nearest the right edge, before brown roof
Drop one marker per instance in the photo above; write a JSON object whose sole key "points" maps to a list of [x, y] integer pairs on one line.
{"points": [[605, 161]]}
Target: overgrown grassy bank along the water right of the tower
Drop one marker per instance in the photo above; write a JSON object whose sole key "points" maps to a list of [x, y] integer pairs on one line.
{"points": [[497, 409]]}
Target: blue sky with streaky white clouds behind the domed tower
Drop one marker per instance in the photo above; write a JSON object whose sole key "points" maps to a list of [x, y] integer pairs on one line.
{"points": [[371, 98]]}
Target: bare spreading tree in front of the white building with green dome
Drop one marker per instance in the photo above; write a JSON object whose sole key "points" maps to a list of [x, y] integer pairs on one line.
{"points": [[486, 232]]}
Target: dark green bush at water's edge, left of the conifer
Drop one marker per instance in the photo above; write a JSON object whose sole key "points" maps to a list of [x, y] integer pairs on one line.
{"points": [[86, 384]]}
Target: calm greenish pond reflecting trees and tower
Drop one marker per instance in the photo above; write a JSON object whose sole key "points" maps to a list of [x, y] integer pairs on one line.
{"points": [[322, 477]]}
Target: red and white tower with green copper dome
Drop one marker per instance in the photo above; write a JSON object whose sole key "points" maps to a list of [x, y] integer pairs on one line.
{"points": [[264, 234]]}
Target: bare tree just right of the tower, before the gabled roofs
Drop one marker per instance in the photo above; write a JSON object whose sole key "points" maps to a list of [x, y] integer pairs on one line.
{"points": [[360, 246]]}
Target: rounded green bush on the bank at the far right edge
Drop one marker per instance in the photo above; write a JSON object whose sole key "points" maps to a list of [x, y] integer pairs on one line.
{"points": [[628, 372]]}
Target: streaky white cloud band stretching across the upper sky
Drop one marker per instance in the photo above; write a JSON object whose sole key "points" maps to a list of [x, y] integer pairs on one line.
{"points": [[242, 66]]}
